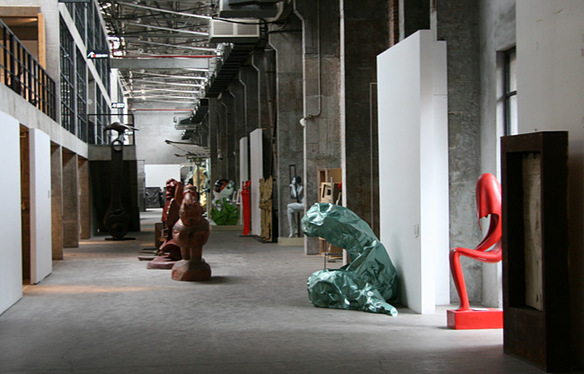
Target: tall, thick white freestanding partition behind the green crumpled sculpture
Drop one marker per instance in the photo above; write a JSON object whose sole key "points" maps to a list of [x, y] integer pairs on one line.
{"points": [[413, 179]]}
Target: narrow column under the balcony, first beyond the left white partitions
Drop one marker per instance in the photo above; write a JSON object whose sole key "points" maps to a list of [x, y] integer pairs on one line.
{"points": [[57, 201]]}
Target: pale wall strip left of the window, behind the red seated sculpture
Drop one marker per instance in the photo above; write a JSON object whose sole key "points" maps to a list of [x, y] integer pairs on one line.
{"points": [[497, 34]]}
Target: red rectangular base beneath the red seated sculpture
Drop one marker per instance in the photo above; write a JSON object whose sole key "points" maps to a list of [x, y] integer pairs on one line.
{"points": [[487, 318]]}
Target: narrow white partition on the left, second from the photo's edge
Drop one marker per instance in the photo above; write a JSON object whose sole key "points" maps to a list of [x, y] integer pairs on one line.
{"points": [[40, 206]]}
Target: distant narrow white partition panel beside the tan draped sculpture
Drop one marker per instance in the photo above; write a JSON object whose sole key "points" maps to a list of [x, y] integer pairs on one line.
{"points": [[256, 173]]}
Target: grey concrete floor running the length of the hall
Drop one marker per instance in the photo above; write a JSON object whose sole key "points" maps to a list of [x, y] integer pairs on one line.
{"points": [[101, 311]]}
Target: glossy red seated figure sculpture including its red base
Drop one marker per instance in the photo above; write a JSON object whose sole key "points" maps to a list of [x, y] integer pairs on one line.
{"points": [[488, 198]]}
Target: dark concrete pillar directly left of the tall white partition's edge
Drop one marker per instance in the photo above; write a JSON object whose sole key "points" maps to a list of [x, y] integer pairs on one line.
{"points": [[359, 104]]}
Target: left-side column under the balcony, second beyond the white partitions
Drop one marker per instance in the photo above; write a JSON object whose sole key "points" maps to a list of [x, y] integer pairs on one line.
{"points": [[70, 200]]}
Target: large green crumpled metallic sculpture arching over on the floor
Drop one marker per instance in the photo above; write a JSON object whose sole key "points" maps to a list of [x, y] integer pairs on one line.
{"points": [[369, 283]]}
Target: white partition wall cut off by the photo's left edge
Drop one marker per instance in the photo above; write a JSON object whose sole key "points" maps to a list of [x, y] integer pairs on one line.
{"points": [[10, 226]]}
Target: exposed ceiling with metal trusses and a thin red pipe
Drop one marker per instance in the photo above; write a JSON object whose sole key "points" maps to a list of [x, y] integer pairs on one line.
{"points": [[163, 32]]}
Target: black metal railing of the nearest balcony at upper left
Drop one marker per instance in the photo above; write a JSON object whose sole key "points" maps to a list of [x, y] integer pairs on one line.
{"points": [[22, 73]]}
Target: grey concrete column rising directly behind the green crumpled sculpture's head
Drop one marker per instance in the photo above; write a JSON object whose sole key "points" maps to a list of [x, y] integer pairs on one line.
{"points": [[321, 92]]}
